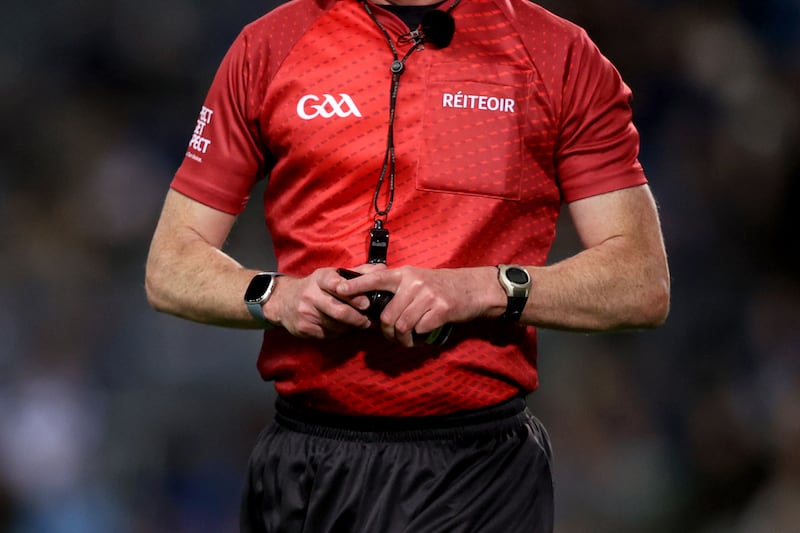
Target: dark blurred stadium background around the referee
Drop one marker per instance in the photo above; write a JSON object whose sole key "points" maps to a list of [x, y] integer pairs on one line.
{"points": [[114, 418]]}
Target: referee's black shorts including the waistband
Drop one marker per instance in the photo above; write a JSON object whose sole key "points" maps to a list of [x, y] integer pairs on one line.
{"points": [[484, 471]]}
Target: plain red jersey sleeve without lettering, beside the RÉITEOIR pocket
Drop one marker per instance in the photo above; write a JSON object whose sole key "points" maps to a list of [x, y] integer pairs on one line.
{"points": [[598, 144]]}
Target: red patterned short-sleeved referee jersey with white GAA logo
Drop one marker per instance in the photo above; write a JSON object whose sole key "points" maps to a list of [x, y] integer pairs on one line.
{"points": [[493, 133]]}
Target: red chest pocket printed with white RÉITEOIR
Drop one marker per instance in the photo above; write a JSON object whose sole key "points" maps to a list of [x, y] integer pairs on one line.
{"points": [[472, 134]]}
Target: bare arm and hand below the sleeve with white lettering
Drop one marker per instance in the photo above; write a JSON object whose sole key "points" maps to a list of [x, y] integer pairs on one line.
{"points": [[188, 275]]}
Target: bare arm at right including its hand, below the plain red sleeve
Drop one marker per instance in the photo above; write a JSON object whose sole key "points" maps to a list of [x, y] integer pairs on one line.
{"points": [[620, 280]]}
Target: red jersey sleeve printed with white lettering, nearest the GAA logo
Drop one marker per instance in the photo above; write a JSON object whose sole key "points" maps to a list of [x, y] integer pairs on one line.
{"points": [[225, 155]]}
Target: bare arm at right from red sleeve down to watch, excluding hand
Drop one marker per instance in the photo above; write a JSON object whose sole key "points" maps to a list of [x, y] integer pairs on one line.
{"points": [[620, 280]]}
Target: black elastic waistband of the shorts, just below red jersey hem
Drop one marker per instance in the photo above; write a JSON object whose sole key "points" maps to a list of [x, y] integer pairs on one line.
{"points": [[510, 414]]}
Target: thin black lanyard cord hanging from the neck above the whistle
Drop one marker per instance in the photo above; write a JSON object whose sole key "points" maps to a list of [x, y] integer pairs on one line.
{"points": [[389, 159]]}
